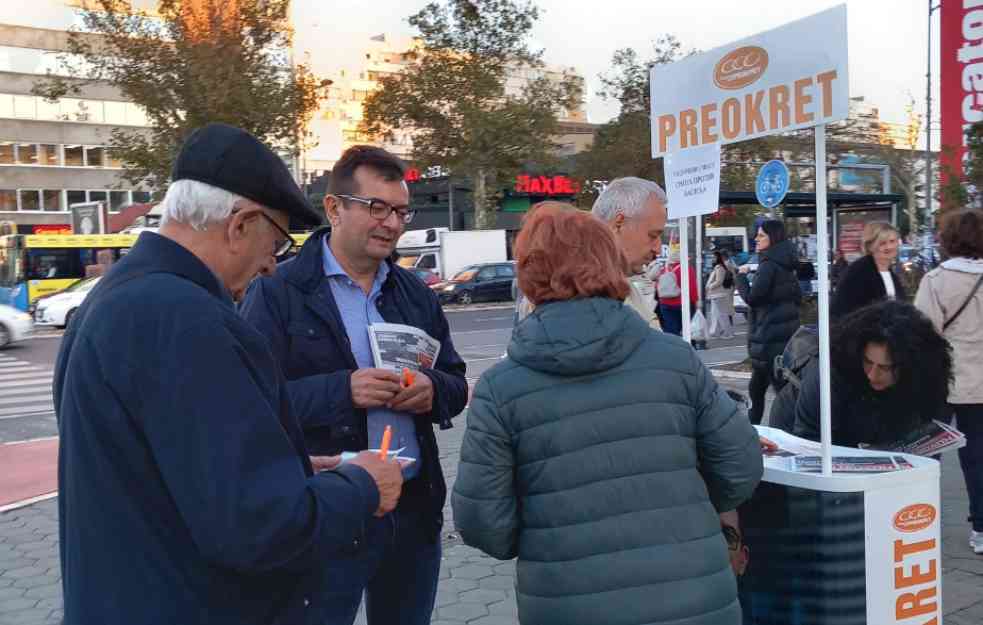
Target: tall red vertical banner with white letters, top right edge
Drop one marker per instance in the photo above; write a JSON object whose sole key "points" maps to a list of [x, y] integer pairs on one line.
{"points": [[961, 85]]}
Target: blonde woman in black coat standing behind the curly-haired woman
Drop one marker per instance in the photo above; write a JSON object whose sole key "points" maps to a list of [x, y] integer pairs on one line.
{"points": [[870, 278]]}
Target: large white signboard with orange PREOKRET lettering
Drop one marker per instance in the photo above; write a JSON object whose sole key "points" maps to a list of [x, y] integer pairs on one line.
{"points": [[791, 77]]}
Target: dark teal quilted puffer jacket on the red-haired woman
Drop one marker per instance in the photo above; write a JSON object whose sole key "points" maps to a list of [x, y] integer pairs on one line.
{"points": [[600, 452]]}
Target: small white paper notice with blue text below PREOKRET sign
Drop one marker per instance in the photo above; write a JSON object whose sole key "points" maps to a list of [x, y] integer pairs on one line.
{"points": [[693, 181]]}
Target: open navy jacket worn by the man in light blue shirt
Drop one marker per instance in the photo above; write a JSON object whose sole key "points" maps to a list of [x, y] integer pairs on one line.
{"points": [[295, 311]]}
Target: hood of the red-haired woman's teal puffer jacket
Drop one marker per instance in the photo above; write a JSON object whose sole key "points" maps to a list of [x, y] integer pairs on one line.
{"points": [[577, 337]]}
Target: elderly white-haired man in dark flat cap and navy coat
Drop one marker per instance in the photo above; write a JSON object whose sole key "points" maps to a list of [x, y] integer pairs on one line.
{"points": [[185, 491]]}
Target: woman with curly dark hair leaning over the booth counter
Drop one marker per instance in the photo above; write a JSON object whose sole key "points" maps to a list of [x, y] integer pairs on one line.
{"points": [[890, 373]]}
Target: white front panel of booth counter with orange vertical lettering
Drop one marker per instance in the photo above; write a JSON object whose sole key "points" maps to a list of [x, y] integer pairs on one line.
{"points": [[904, 557]]}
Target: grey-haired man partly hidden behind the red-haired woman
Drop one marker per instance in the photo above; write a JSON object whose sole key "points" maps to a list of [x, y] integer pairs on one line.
{"points": [[635, 211]]}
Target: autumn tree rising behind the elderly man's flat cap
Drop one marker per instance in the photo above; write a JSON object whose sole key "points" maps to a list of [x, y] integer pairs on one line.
{"points": [[187, 65]]}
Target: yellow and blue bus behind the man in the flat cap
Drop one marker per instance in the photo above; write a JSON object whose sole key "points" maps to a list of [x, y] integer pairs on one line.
{"points": [[34, 265]]}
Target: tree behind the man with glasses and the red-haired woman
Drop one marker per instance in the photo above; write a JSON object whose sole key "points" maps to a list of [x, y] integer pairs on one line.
{"points": [[455, 100]]}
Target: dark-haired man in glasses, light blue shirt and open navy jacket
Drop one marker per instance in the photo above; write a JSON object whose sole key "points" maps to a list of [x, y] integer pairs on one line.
{"points": [[315, 313]]}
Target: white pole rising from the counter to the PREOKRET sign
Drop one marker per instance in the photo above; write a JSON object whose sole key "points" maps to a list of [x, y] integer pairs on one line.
{"points": [[822, 260]]}
